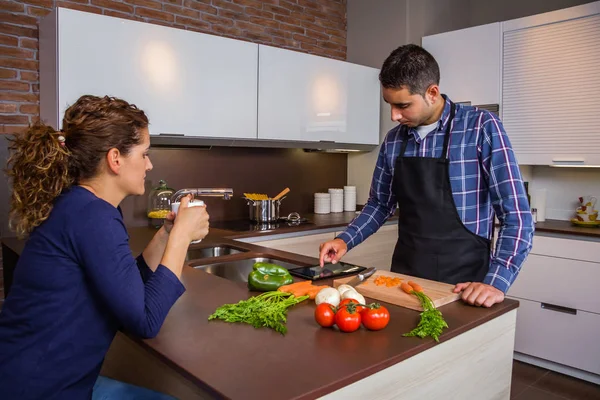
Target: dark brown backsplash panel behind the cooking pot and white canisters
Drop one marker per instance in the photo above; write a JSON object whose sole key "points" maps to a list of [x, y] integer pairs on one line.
{"points": [[246, 170]]}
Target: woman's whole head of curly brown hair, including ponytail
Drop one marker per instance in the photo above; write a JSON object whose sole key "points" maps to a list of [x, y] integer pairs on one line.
{"points": [[44, 162]]}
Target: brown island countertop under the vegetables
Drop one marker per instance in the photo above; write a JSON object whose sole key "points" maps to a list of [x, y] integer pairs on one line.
{"points": [[306, 363]]}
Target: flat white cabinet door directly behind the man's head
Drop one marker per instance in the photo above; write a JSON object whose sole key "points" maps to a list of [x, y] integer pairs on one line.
{"points": [[469, 61]]}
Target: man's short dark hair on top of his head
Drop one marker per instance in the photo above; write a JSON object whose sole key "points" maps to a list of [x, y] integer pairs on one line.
{"points": [[410, 66]]}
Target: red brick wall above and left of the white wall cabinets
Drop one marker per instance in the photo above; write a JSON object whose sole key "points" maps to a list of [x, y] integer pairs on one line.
{"points": [[311, 26]]}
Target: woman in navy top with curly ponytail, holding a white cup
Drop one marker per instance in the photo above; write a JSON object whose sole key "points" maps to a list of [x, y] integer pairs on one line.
{"points": [[76, 282]]}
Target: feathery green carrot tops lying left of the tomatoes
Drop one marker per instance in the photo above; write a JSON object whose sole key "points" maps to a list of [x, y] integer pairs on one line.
{"points": [[266, 310]]}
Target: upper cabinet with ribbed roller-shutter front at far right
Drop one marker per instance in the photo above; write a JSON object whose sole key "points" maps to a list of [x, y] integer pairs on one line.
{"points": [[550, 86]]}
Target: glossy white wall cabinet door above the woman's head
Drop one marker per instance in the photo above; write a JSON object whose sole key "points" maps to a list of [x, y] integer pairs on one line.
{"points": [[188, 83]]}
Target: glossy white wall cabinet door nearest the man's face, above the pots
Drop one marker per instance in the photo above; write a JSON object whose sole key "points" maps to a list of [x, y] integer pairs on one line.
{"points": [[303, 97]]}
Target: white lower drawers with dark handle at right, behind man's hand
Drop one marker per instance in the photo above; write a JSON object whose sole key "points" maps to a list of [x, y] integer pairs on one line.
{"points": [[559, 315]]}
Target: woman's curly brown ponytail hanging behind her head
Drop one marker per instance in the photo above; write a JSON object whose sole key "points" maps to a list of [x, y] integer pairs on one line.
{"points": [[39, 169]]}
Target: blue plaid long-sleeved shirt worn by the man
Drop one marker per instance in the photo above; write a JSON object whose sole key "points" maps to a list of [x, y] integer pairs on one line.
{"points": [[484, 176]]}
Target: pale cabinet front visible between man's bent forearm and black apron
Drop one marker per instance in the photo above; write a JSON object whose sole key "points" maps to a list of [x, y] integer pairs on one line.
{"points": [[377, 250]]}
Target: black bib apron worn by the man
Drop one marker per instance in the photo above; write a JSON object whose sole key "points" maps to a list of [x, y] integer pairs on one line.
{"points": [[433, 243]]}
